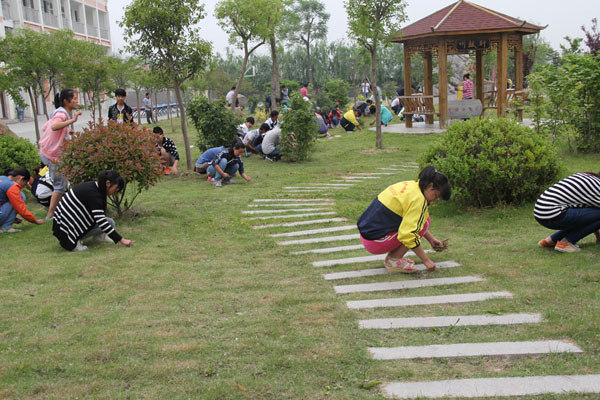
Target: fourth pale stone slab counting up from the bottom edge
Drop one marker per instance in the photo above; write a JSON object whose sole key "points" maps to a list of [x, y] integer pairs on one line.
{"points": [[426, 300]]}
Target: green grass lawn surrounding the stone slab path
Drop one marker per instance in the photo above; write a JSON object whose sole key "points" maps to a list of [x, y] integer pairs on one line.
{"points": [[203, 306]]}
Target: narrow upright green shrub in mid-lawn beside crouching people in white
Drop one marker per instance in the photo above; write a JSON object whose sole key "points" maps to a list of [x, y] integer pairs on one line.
{"points": [[301, 121]]}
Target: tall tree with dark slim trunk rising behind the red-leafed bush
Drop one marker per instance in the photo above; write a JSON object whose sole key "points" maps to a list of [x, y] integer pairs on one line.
{"points": [[164, 34]]}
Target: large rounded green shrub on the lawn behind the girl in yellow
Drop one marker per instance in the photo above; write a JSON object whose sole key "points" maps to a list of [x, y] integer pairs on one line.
{"points": [[490, 162]]}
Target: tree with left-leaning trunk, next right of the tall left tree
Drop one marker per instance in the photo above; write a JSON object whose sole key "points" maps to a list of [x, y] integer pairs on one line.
{"points": [[249, 23]]}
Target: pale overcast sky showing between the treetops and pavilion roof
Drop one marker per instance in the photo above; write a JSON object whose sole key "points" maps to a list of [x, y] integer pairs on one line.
{"points": [[563, 18]]}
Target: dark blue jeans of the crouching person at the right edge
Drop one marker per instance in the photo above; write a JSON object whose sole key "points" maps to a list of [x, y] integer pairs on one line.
{"points": [[574, 224]]}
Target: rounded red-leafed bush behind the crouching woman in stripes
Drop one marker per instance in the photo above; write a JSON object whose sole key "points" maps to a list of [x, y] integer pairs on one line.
{"points": [[127, 149]]}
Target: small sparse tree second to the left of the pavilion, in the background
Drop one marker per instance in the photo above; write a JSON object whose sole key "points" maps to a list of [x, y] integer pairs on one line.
{"points": [[306, 22]]}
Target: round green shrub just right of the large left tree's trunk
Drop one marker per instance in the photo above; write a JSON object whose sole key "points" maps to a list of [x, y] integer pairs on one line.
{"points": [[216, 125]]}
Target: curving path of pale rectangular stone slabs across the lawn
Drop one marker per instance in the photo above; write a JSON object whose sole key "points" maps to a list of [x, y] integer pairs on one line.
{"points": [[488, 387]]}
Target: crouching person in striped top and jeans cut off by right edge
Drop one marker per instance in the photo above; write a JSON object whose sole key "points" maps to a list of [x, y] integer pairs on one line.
{"points": [[573, 207]]}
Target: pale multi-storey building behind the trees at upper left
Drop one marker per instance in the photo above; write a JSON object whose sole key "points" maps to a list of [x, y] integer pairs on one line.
{"points": [[88, 19]]}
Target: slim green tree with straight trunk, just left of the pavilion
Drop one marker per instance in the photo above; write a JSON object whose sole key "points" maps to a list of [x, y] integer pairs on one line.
{"points": [[373, 23]]}
